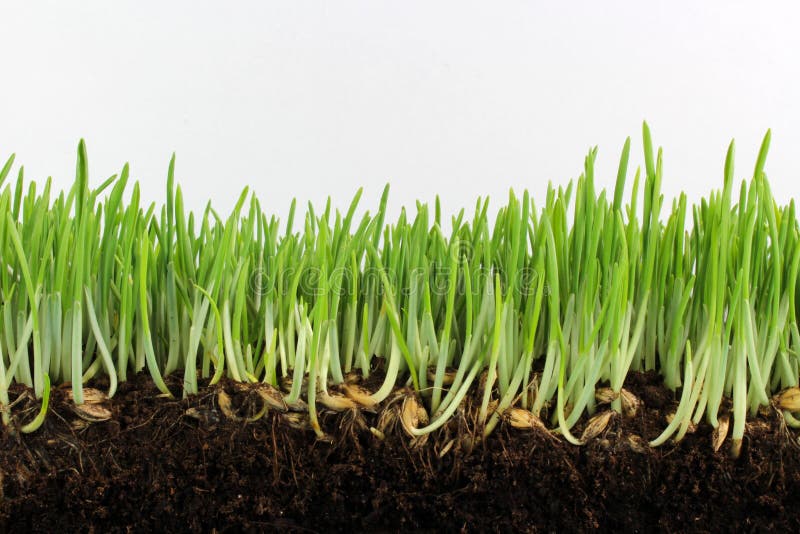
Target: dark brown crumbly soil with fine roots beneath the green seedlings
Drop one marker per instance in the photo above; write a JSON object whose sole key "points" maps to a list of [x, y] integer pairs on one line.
{"points": [[162, 464]]}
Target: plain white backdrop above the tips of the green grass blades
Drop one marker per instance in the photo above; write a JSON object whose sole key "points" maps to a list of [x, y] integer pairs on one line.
{"points": [[461, 99]]}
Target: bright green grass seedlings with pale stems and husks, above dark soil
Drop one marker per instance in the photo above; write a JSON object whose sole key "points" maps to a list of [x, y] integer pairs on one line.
{"points": [[534, 319]]}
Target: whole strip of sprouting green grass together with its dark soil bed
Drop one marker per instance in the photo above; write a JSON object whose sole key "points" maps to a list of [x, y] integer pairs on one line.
{"points": [[552, 360]]}
